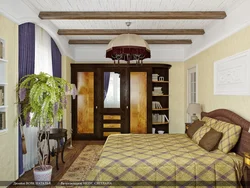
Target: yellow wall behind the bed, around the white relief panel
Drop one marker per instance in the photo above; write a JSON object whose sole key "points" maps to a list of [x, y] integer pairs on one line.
{"points": [[236, 43]]}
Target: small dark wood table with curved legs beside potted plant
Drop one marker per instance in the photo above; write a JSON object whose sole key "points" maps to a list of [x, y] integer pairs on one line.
{"points": [[58, 135]]}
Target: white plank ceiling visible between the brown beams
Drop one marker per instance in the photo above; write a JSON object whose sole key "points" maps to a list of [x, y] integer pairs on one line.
{"points": [[133, 5]]}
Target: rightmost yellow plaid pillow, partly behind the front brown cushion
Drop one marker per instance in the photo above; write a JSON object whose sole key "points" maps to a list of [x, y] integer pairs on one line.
{"points": [[231, 134]]}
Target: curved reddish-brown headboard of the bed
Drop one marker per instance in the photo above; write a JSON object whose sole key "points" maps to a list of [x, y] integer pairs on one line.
{"points": [[243, 144]]}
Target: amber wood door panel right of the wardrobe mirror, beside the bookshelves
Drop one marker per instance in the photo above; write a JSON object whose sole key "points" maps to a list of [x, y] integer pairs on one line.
{"points": [[138, 102]]}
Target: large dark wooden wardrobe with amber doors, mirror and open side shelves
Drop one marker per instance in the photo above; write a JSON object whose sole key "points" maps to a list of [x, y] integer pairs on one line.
{"points": [[117, 99]]}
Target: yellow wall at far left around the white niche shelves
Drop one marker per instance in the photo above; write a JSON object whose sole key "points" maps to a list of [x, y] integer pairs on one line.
{"points": [[8, 140]]}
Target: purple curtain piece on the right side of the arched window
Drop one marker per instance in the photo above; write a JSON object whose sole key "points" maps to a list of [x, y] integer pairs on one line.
{"points": [[56, 59]]}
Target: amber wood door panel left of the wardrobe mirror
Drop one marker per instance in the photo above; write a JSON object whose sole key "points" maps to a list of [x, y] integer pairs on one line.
{"points": [[85, 103]]}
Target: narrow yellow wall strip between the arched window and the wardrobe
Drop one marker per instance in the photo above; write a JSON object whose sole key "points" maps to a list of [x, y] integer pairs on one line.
{"points": [[66, 74]]}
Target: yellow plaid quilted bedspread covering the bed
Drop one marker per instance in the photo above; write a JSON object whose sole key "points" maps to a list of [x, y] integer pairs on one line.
{"points": [[168, 160]]}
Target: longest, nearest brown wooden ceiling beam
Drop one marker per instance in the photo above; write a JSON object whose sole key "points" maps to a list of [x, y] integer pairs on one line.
{"points": [[132, 15]]}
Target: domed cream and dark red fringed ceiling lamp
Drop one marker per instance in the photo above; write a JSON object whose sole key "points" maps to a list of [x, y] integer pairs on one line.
{"points": [[128, 47]]}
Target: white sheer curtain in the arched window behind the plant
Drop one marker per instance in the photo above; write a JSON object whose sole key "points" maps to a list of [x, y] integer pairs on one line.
{"points": [[43, 63]]}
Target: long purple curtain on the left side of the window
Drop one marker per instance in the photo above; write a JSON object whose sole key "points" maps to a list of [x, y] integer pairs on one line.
{"points": [[26, 66]]}
